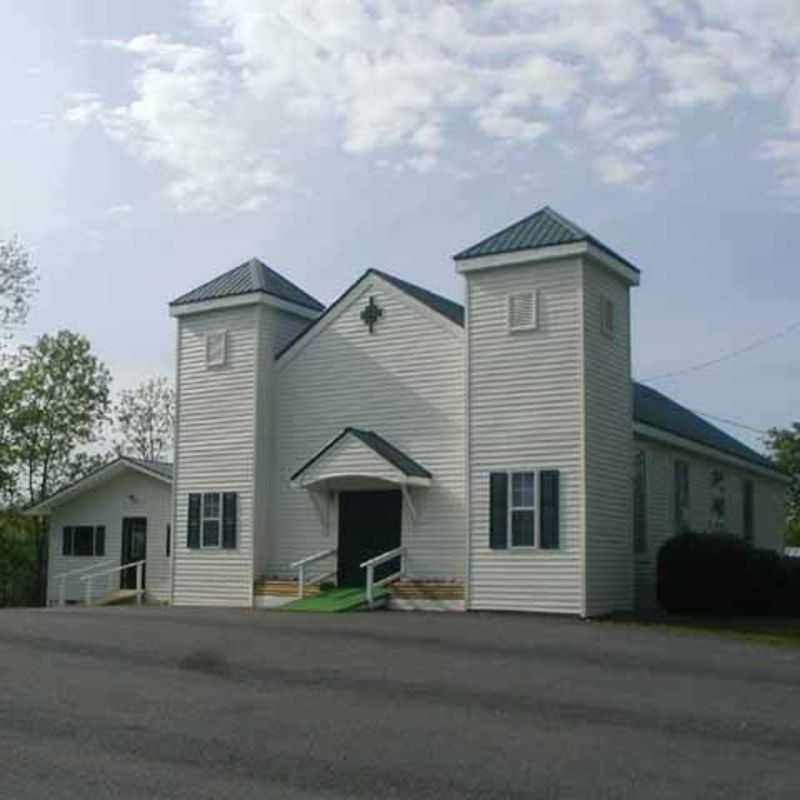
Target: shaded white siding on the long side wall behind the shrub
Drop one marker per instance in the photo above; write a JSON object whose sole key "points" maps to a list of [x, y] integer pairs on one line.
{"points": [[661, 525]]}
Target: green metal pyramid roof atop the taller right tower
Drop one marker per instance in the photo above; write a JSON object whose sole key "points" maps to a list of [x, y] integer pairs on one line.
{"points": [[543, 228]]}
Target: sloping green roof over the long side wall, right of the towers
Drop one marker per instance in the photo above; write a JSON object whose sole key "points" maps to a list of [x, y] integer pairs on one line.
{"points": [[650, 407]]}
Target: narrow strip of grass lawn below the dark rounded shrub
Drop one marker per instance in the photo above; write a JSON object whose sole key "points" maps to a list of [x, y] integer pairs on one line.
{"points": [[776, 631]]}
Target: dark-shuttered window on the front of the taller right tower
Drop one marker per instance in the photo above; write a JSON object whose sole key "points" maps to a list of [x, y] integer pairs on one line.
{"points": [[524, 510]]}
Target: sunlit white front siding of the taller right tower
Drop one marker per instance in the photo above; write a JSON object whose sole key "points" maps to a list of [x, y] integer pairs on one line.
{"points": [[526, 409]]}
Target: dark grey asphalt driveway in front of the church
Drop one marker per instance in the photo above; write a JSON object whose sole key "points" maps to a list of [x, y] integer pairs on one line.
{"points": [[190, 703]]}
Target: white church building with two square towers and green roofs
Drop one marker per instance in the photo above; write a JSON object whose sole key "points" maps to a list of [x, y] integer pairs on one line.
{"points": [[490, 456]]}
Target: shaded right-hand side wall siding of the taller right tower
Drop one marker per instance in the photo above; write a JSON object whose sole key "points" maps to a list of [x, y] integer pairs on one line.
{"points": [[608, 409]]}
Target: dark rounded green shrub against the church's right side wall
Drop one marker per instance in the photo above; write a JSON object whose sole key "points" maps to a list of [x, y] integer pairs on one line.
{"points": [[721, 575]]}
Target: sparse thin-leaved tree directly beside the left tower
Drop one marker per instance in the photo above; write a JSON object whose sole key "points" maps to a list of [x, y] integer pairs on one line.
{"points": [[145, 419]]}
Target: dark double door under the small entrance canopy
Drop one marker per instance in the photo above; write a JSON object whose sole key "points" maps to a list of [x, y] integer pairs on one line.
{"points": [[370, 523]]}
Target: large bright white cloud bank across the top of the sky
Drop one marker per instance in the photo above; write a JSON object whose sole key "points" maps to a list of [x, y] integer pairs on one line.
{"points": [[226, 115]]}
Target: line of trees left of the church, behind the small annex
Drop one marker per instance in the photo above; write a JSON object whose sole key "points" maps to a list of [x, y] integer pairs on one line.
{"points": [[59, 419]]}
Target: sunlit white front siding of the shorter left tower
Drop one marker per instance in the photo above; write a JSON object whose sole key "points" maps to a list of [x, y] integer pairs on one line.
{"points": [[216, 438]]}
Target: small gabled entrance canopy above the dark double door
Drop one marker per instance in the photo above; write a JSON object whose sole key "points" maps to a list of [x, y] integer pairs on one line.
{"points": [[359, 459]]}
